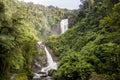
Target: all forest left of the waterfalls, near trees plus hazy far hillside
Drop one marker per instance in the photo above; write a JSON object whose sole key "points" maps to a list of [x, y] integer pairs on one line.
{"points": [[22, 25]]}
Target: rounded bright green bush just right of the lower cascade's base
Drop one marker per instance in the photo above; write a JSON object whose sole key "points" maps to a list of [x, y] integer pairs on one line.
{"points": [[72, 67]]}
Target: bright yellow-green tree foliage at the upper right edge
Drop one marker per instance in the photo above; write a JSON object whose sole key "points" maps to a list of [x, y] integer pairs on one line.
{"points": [[111, 23]]}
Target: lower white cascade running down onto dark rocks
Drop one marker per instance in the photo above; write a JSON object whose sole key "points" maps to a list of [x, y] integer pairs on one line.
{"points": [[51, 64]]}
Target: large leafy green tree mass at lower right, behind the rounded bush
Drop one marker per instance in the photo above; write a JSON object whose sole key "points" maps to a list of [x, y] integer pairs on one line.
{"points": [[103, 54]]}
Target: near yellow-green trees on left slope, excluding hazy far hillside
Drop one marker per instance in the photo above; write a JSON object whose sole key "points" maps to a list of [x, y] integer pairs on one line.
{"points": [[17, 41]]}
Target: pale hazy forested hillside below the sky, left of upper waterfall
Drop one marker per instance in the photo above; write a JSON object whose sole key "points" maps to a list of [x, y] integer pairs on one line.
{"points": [[45, 20]]}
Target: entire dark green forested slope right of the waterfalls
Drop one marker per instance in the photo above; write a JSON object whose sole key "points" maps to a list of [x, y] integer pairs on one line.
{"points": [[90, 50]]}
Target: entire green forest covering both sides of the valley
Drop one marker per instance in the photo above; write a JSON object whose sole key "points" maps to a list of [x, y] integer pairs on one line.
{"points": [[89, 50]]}
